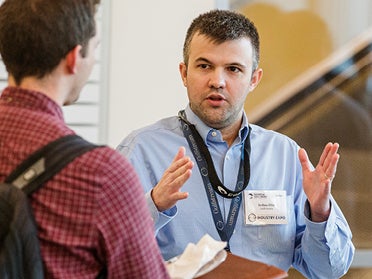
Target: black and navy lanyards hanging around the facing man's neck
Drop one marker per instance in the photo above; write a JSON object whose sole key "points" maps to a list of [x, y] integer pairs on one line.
{"points": [[211, 181]]}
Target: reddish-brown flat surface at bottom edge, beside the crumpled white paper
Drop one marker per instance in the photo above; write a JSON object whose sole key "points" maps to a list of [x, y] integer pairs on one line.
{"points": [[235, 267]]}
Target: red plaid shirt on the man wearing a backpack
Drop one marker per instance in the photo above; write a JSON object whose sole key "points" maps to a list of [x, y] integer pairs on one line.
{"points": [[91, 214]]}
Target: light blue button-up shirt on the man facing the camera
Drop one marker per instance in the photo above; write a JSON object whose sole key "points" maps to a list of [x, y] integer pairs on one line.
{"points": [[318, 250]]}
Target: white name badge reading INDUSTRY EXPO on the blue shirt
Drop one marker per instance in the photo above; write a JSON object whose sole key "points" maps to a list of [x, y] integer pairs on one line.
{"points": [[265, 207]]}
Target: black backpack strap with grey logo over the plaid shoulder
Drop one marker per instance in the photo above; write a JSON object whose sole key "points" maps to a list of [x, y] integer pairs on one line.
{"points": [[43, 164]]}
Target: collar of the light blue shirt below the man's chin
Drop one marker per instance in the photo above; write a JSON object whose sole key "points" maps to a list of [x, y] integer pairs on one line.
{"points": [[205, 130]]}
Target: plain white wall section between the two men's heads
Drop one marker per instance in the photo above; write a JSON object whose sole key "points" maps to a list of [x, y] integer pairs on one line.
{"points": [[145, 49]]}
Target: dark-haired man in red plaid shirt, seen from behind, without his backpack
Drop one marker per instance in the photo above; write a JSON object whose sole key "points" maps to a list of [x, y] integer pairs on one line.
{"points": [[92, 217]]}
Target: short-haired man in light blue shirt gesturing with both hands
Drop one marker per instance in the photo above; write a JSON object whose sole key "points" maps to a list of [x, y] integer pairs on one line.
{"points": [[253, 188]]}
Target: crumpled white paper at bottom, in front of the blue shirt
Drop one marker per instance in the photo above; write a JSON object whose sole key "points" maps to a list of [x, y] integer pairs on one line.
{"points": [[197, 259]]}
